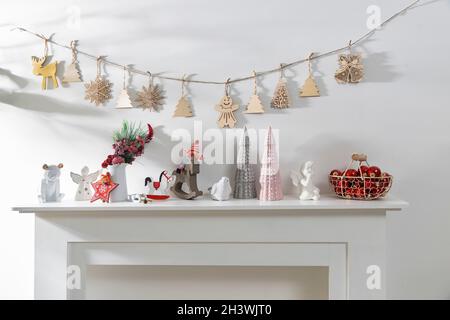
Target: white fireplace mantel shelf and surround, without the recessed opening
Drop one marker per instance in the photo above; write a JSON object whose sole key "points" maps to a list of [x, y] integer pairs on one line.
{"points": [[346, 236]]}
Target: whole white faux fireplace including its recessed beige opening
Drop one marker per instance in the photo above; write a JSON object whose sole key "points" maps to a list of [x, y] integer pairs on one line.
{"points": [[207, 241]]}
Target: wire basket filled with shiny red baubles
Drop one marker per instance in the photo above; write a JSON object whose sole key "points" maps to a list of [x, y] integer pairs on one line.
{"points": [[360, 185]]}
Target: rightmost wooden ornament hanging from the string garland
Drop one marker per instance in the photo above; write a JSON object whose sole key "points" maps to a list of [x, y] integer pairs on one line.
{"points": [[350, 69]]}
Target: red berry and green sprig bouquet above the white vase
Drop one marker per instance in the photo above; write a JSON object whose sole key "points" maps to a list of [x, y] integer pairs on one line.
{"points": [[129, 143]]}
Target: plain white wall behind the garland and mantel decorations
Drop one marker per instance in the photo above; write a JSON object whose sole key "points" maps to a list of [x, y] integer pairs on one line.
{"points": [[398, 115]]}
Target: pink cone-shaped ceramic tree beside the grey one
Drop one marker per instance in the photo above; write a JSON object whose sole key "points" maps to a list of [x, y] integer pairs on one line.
{"points": [[270, 178]]}
